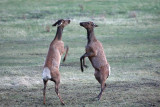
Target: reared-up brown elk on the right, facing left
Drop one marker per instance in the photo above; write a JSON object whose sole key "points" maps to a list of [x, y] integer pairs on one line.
{"points": [[96, 55]]}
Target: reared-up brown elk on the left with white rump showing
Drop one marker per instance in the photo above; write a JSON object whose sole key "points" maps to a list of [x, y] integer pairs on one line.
{"points": [[52, 63]]}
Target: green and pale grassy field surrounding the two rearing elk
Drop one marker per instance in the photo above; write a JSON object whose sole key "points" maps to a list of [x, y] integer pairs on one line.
{"points": [[128, 29]]}
